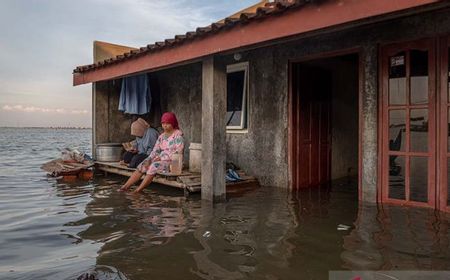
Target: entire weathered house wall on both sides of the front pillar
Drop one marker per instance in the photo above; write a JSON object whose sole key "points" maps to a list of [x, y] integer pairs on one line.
{"points": [[263, 151]]}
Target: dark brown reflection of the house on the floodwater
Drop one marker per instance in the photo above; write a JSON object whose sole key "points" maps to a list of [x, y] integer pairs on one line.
{"points": [[267, 234]]}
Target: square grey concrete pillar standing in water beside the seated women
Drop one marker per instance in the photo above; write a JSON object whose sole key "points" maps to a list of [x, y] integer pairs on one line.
{"points": [[214, 98]]}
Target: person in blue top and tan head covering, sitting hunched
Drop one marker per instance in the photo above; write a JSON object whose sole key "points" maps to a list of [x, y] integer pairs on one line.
{"points": [[146, 137]]}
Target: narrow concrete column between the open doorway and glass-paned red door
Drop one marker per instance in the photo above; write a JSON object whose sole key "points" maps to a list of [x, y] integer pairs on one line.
{"points": [[369, 124]]}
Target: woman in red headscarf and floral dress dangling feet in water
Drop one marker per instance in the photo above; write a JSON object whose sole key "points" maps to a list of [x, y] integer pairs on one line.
{"points": [[169, 142]]}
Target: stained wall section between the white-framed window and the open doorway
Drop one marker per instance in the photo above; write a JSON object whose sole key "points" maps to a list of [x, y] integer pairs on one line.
{"points": [[262, 150]]}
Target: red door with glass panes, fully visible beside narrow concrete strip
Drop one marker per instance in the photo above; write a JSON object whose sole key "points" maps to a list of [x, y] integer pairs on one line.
{"points": [[408, 122]]}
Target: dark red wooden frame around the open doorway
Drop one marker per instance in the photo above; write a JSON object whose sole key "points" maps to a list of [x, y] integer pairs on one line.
{"points": [[324, 55]]}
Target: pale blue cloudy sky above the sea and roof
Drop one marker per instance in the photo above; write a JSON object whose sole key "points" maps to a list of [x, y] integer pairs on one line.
{"points": [[42, 41]]}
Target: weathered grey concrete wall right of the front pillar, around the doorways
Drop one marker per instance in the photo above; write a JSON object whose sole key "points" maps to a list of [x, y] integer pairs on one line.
{"points": [[263, 150]]}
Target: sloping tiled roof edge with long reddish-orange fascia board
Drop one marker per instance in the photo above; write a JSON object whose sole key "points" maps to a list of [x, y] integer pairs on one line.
{"points": [[272, 21]]}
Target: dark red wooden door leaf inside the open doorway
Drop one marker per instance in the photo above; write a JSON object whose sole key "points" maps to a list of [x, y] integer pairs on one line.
{"points": [[310, 120]]}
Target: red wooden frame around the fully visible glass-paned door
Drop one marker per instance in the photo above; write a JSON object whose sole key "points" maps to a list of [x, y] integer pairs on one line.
{"points": [[433, 115]]}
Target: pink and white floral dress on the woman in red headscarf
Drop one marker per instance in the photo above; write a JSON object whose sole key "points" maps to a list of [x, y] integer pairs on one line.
{"points": [[164, 148]]}
